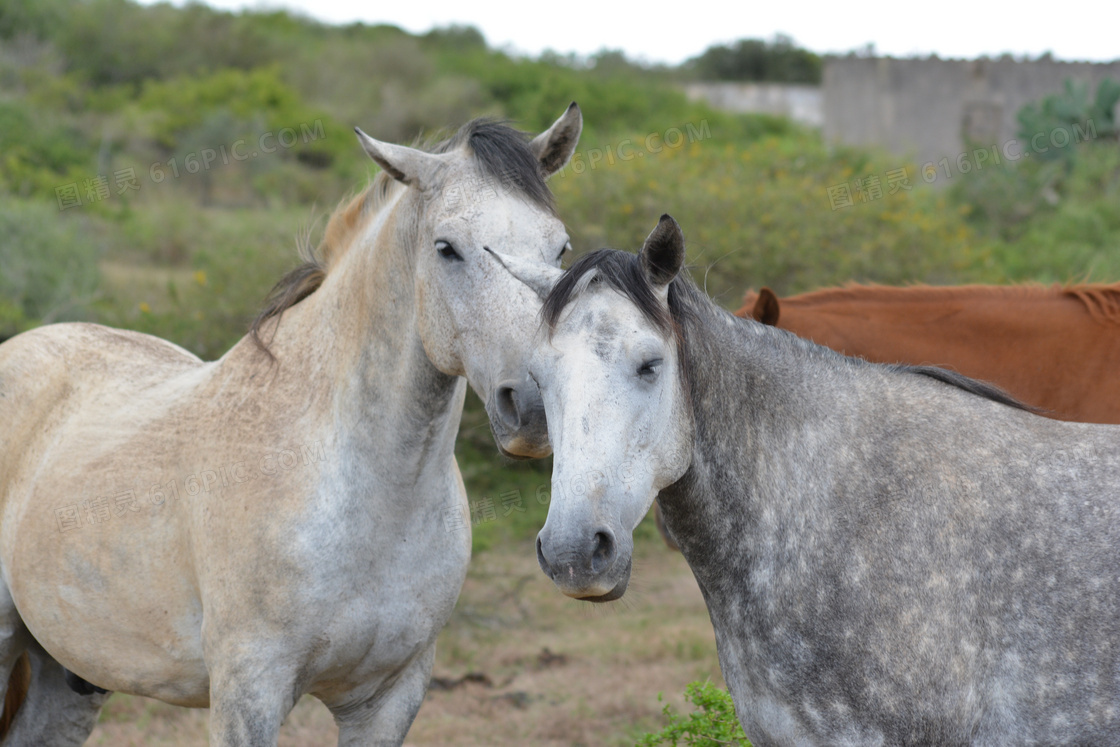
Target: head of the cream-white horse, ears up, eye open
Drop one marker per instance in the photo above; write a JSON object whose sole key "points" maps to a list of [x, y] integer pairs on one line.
{"points": [[481, 192]]}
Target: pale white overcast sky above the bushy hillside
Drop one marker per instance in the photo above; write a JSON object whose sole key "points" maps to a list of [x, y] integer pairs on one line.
{"points": [[671, 33]]}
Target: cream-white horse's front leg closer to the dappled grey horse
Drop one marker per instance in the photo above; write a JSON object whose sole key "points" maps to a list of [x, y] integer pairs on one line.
{"points": [[384, 720]]}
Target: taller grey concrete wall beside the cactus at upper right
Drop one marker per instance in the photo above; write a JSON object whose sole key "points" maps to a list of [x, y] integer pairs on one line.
{"points": [[928, 109]]}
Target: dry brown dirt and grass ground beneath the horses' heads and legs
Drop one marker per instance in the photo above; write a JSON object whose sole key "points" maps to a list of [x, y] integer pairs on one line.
{"points": [[519, 665]]}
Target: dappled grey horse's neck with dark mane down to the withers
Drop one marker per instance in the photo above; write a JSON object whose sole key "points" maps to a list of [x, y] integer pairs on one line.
{"points": [[780, 425]]}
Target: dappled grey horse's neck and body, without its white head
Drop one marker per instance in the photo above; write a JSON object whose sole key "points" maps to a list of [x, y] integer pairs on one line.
{"points": [[891, 559]]}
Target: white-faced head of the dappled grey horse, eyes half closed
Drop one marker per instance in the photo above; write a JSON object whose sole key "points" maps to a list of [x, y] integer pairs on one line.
{"points": [[619, 413]]}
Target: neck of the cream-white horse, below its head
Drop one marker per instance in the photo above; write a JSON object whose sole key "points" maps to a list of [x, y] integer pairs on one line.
{"points": [[357, 342]]}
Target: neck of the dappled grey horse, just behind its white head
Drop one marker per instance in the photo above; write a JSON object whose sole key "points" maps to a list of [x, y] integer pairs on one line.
{"points": [[762, 400]]}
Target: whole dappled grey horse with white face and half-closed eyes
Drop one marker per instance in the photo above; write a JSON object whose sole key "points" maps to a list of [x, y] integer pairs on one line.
{"points": [[890, 555]]}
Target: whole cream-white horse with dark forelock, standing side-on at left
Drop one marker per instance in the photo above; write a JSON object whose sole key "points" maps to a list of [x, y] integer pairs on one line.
{"points": [[291, 518]]}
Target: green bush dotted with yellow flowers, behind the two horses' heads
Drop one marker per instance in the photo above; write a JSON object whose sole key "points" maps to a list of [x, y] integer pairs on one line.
{"points": [[759, 213]]}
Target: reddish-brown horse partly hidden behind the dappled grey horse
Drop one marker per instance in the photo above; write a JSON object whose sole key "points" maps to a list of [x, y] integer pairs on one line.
{"points": [[1054, 348]]}
